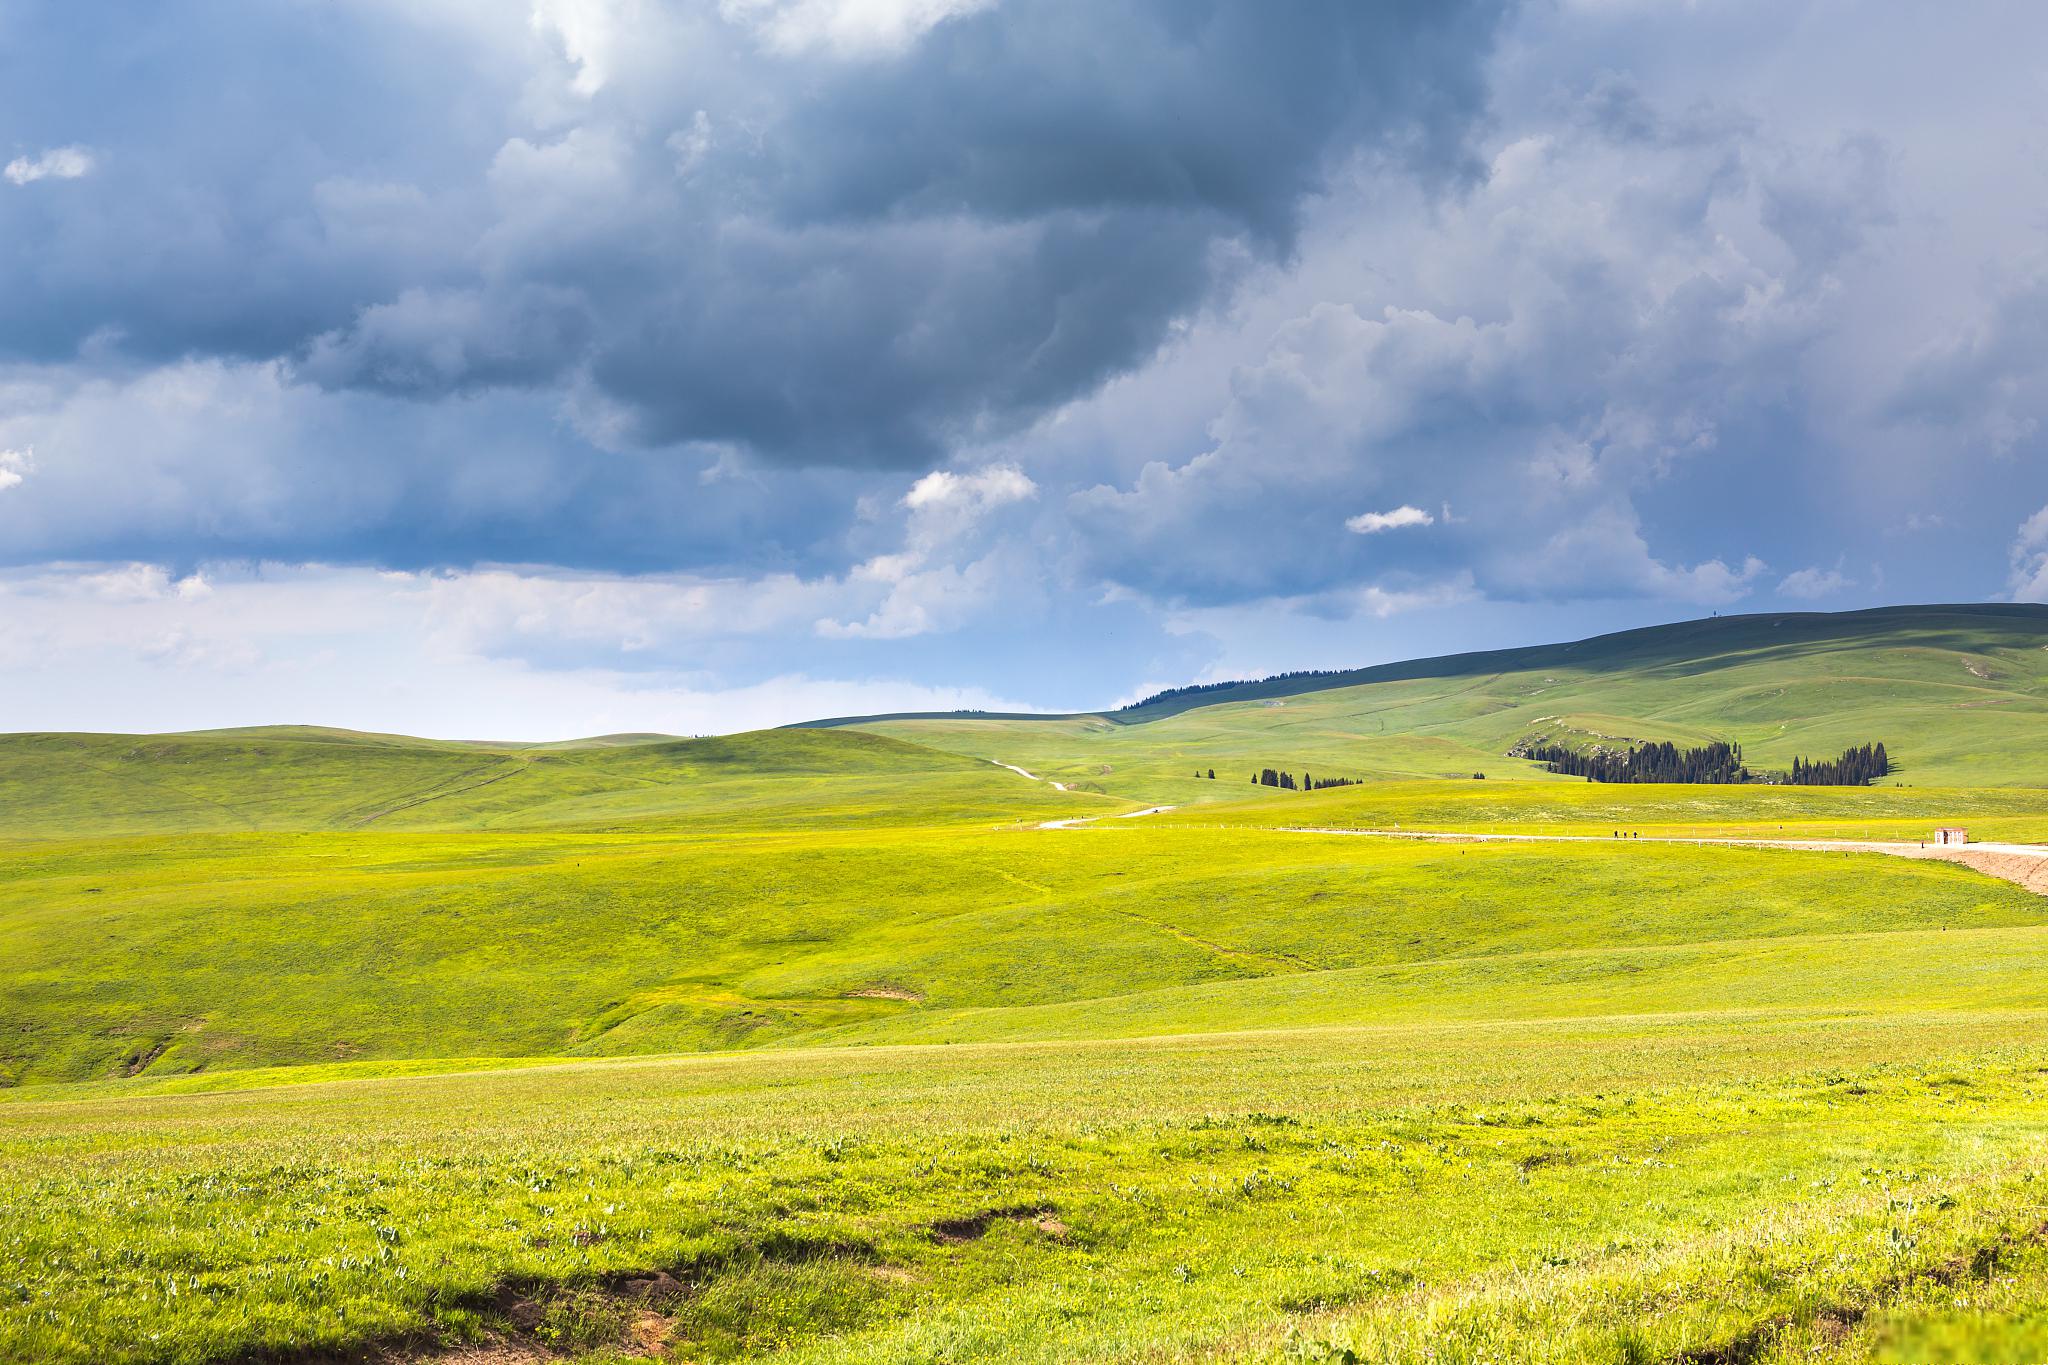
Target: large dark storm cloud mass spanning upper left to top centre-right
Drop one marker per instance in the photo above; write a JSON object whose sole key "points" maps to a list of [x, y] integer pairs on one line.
{"points": [[810, 255]]}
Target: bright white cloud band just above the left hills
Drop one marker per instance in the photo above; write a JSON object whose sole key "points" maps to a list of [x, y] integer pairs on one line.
{"points": [[132, 648]]}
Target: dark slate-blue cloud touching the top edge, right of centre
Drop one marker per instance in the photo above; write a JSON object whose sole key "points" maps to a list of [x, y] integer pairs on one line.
{"points": [[1175, 105]]}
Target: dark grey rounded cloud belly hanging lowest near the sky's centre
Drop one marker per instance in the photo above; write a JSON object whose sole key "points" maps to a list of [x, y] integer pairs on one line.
{"points": [[886, 347]]}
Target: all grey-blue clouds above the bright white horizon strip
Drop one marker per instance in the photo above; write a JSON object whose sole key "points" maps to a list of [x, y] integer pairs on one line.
{"points": [[425, 283]]}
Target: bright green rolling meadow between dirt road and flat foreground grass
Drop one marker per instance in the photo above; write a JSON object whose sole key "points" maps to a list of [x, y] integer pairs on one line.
{"points": [[157, 955]]}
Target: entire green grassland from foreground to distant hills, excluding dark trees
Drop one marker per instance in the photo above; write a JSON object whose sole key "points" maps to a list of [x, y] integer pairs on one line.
{"points": [[816, 1047]]}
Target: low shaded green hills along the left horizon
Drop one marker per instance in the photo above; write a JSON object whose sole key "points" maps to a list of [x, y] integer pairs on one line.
{"points": [[302, 779]]}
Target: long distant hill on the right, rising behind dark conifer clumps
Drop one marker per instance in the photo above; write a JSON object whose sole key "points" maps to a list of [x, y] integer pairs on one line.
{"points": [[1957, 693]]}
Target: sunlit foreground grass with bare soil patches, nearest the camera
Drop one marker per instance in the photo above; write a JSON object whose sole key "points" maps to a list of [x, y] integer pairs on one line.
{"points": [[1564, 1192]]}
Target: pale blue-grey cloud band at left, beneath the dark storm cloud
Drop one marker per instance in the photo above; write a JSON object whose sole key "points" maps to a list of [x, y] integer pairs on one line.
{"points": [[230, 461]]}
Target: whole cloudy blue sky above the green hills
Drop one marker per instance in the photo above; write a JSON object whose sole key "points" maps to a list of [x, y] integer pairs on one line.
{"points": [[529, 369]]}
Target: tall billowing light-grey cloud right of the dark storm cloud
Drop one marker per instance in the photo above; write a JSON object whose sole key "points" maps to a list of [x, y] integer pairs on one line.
{"points": [[1625, 292]]}
